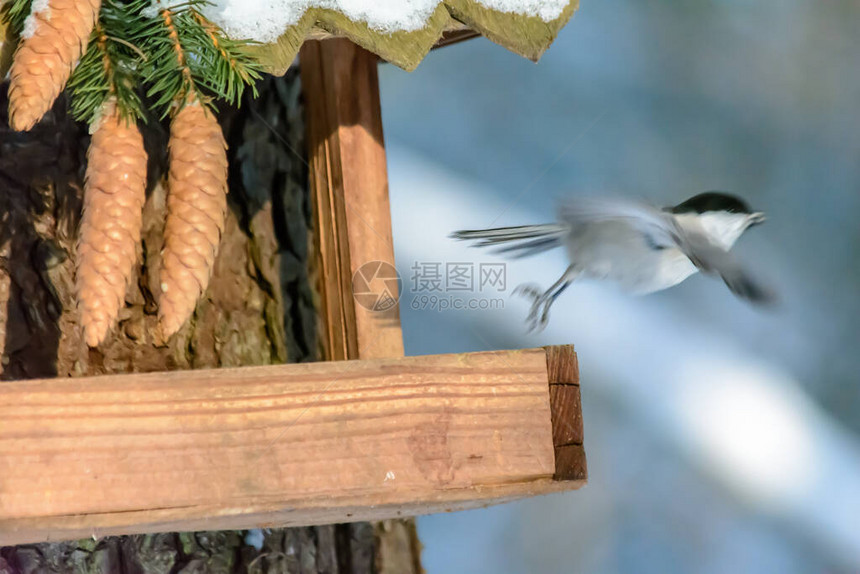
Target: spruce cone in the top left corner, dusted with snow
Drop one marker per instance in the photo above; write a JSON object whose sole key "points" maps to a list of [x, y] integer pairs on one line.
{"points": [[53, 41]]}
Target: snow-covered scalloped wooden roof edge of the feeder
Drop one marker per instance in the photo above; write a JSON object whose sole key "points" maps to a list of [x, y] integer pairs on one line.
{"points": [[401, 31]]}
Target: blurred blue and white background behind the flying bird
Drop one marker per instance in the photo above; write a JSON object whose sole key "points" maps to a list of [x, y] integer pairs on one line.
{"points": [[720, 438]]}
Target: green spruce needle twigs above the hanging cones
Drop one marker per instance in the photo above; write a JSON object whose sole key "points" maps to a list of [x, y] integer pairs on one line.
{"points": [[177, 53]]}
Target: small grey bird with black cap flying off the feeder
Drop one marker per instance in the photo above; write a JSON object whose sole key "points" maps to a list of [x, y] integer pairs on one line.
{"points": [[639, 246]]}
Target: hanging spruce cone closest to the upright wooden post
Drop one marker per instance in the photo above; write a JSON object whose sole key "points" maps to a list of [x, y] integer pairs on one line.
{"points": [[196, 208]]}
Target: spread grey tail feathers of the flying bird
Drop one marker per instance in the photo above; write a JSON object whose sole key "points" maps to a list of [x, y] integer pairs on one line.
{"points": [[521, 241]]}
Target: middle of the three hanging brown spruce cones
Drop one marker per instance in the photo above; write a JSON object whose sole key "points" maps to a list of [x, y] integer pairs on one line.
{"points": [[114, 194]]}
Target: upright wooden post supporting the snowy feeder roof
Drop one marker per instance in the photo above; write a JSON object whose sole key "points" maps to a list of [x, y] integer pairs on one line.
{"points": [[349, 184]]}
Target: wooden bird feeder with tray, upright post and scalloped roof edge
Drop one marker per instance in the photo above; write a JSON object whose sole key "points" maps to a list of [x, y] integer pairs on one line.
{"points": [[371, 434]]}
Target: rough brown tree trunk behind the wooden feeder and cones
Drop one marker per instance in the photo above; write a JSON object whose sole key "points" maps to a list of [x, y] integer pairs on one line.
{"points": [[259, 309]]}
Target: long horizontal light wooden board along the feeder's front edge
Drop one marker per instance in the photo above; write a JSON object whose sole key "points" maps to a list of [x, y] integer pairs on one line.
{"points": [[283, 445]]}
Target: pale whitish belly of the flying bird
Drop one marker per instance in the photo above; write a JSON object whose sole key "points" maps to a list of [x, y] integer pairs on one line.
{"points": [[618, 254]]}
